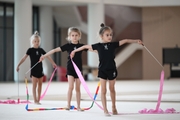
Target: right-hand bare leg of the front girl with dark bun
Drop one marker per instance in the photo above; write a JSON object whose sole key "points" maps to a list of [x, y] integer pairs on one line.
{"points": [[113, 95]]}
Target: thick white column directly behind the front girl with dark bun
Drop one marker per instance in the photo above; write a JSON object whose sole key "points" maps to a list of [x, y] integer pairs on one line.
{"points": [[95, 18]]}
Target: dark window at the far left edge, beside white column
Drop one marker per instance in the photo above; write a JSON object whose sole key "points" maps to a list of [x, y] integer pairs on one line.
{"points": [[6, 41]]}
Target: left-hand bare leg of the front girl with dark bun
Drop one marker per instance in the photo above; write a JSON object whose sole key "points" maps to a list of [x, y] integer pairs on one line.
{"points": [[103, 95]]}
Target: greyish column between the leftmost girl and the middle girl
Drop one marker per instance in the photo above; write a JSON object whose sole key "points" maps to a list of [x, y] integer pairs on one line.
{"points": [[46, 34]]}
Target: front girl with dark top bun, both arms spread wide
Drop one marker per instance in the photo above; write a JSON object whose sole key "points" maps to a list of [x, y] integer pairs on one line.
{"points": [[107, 70]]}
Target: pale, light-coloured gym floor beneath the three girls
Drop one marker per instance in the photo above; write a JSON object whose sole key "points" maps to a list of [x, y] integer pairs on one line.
{"points": [[132, 96]]}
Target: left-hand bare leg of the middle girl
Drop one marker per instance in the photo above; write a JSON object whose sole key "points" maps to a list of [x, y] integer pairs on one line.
{"points": [[70, 90]]}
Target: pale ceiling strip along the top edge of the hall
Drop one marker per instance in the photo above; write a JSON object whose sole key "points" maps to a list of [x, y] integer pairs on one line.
{"points": [[137, 3]]}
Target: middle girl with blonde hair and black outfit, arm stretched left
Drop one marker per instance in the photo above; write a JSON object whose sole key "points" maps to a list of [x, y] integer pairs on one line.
{"points": [[74, 36]]}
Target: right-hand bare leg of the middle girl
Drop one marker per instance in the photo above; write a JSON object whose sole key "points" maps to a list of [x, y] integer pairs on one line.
{"points": [[78, 94]]}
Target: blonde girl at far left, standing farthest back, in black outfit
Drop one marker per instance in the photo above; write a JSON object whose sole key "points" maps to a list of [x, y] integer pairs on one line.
{"points": [[37, 74]]}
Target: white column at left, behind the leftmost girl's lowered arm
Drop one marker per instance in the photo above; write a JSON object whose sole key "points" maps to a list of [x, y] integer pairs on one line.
{"points": [[22, 34]]}
